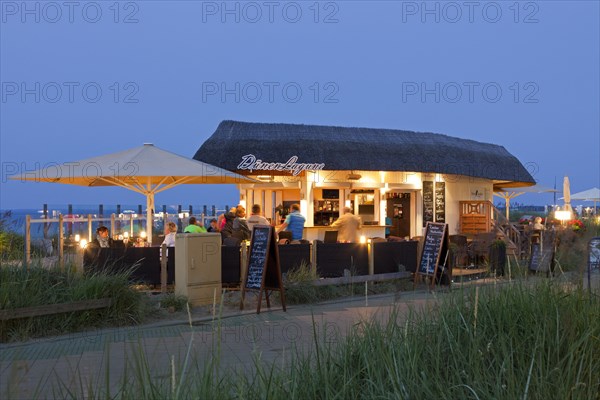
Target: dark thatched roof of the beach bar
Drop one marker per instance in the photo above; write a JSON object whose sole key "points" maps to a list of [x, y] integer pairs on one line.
{"points": [[365, 149]]}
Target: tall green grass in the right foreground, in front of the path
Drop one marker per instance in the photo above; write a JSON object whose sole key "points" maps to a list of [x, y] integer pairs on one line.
{"points": [[522, 343]]}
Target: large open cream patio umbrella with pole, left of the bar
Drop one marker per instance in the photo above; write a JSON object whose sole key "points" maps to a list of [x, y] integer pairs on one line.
{"points": [[146, 169]]}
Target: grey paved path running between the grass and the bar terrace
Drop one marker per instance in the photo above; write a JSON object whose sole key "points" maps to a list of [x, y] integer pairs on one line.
{"points": [[37, 369]]}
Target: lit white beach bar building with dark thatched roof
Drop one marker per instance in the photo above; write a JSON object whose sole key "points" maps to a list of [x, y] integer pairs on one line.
{"points": [[396, 180]]}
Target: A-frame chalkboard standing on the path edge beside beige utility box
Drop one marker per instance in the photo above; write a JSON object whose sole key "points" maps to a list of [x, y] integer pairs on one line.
{"points": [[264, 271]]}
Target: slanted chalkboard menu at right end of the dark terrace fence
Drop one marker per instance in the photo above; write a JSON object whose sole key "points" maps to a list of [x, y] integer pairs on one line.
{"points": [[435, 247]]}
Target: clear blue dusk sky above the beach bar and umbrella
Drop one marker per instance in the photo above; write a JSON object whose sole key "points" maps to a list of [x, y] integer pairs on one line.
{"points": [[83, 79]]}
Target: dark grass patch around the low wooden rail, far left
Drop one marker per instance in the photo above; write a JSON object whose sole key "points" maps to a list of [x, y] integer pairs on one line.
{"points": [[36, 286]]}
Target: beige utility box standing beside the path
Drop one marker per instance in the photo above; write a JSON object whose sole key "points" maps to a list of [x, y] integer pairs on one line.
{"points": [[198, 267]]}
